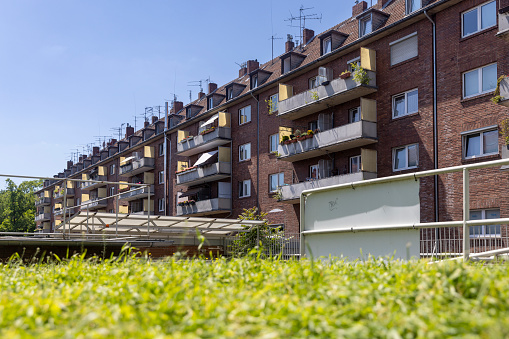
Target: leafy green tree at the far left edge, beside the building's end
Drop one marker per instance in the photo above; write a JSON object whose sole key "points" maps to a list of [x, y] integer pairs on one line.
{"points": [[17, 206]]}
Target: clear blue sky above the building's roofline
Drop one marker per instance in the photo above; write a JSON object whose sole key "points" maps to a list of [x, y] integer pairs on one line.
{"points": [[71, 70]]}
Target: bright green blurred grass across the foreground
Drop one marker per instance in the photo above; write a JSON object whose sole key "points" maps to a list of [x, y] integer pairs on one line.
{"points": [[253, 298]]}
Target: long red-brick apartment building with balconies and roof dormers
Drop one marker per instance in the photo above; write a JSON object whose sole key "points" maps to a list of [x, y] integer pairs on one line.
{"points": [[402, 86]]}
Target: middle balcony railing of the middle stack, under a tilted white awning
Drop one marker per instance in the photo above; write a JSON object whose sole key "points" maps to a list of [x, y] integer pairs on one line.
{"points": [[200, 175]]}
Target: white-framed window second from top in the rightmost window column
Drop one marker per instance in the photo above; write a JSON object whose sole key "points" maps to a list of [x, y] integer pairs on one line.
{"points": [[480, 80]]}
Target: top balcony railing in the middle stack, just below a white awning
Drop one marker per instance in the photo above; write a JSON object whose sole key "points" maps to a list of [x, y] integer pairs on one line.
{"points": [[202, 143]]}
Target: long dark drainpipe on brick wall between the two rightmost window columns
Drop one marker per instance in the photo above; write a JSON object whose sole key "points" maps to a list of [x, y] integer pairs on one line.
{"points": [[435, 128]]}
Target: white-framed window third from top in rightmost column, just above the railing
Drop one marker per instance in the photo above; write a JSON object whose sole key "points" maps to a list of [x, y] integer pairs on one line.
{"points": [[480, 143]]}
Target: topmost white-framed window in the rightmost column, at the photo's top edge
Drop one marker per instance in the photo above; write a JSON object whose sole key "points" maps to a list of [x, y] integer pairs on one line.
{"points": [[479, 18]]}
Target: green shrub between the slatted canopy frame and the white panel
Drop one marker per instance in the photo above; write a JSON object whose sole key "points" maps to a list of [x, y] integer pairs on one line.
{"points": [[269, 237]]}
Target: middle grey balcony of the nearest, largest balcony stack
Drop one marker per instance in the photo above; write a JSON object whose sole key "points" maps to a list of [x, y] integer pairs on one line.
{"points": [[337, 139]]}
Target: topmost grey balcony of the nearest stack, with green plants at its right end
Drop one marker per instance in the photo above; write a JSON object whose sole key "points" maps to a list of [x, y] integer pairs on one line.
{"points": [[320, 98]]}
